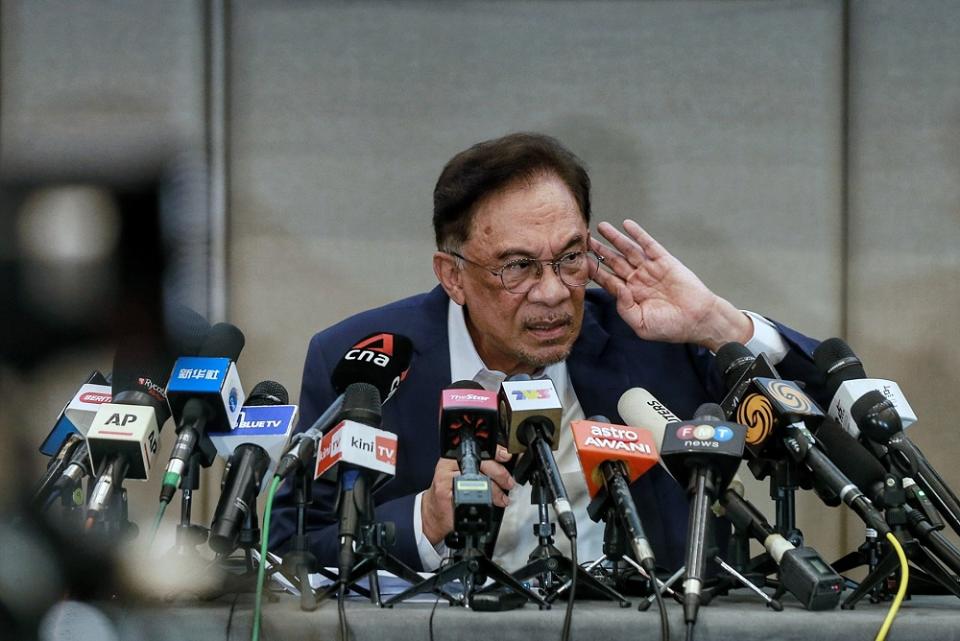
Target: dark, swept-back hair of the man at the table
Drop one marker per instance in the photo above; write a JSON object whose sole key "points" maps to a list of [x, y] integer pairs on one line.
{"points": [[492, 165]]}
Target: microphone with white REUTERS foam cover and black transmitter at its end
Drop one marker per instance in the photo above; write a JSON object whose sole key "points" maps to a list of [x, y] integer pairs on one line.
{"points": [[801, 570]]}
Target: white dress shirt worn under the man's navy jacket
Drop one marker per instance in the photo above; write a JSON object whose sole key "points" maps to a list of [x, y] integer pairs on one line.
{"points": [[516, 539]]}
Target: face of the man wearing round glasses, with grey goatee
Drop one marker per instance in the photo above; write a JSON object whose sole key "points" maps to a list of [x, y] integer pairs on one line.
{"points": [[521, 333]]}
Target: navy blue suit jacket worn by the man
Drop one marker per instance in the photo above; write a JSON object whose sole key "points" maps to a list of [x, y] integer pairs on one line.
{"points": [[607, 359]]}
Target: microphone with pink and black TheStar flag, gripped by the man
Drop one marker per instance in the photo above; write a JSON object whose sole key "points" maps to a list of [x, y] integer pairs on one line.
{"points": [[469, 420]]}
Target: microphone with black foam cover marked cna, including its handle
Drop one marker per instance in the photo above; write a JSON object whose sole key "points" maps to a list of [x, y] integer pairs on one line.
{"points": [[380, 359]]}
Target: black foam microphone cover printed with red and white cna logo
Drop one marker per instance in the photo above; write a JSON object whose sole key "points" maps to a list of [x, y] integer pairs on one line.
{"points": [[380, 359]]}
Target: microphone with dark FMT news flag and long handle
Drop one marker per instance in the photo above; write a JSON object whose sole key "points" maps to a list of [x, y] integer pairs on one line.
{"points": [[703, 455]]}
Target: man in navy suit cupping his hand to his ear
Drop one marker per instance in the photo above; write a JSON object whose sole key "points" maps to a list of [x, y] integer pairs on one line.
{"points": [[514, 258]]}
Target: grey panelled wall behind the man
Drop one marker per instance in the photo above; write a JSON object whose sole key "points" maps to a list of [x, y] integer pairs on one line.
{"points": [[803, 173]]}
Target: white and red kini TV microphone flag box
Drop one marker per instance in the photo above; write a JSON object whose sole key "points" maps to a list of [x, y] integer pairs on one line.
{"points": [[357, 445]]}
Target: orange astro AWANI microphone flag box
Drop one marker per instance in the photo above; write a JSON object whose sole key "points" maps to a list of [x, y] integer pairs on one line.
{"points": [[598, 442]]}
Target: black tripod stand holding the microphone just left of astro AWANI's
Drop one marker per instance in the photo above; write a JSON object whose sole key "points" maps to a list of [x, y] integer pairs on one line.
{"points": [[546, 561]]}
